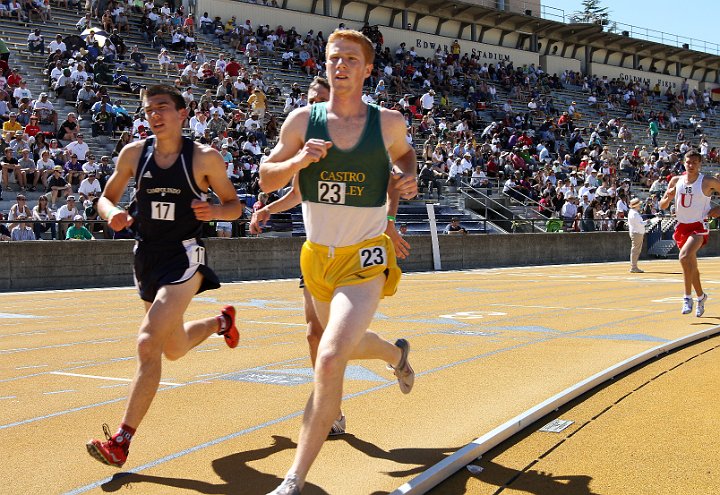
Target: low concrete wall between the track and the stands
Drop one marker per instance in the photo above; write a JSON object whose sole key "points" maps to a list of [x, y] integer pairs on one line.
{"points": [[37, 265]]}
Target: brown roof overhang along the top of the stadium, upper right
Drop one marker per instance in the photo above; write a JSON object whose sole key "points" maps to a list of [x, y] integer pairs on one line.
{"points": [[590, 35]]}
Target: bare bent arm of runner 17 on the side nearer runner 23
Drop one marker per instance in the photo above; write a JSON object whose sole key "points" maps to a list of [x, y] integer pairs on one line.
{"points": [[215, 173]]}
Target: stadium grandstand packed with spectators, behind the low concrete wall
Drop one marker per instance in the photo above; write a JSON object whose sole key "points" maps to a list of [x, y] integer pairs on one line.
{"points": [[520, 123]]}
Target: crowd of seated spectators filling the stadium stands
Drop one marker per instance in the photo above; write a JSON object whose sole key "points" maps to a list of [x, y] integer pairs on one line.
{"points": [[570, 161]]}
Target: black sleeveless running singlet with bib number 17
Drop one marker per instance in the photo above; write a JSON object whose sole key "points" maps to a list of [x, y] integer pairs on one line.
{"points": [[162, 210]]}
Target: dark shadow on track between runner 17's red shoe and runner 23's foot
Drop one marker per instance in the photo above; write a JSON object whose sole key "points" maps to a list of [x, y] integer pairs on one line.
{"points": [[238, 477]]}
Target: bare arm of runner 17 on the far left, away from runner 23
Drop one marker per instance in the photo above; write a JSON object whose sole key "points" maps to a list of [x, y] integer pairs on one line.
{"points": [[127, 163]]}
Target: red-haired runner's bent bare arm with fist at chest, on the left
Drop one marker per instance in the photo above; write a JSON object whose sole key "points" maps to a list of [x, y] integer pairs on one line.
{"points": [[292, 153]]}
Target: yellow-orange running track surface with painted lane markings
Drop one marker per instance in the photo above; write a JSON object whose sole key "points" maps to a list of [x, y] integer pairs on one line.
{"points": [[486, 346]]}
